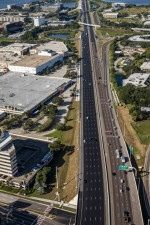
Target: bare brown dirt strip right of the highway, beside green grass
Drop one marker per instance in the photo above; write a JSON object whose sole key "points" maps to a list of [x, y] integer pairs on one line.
{"points": [[130, 135]]}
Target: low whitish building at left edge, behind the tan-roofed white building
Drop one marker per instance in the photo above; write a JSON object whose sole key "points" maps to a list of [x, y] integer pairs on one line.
{"points": [[18, 48]]}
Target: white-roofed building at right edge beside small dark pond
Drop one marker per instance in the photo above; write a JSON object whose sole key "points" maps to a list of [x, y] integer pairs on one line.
{"points": [[137, 79]]}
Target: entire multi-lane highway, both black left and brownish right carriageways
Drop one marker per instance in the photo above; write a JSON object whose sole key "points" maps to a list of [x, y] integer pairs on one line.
{"points": [[95, 85]]}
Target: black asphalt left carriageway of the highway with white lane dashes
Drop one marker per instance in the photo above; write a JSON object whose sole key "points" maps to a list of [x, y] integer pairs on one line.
{"points": [[91, 196]]}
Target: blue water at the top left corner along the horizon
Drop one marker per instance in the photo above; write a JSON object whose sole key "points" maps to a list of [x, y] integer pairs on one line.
{"points": [[4, 3]]}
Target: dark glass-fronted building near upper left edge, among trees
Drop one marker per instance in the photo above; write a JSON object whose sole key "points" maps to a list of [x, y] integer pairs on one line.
{"points": [[11, 27]]}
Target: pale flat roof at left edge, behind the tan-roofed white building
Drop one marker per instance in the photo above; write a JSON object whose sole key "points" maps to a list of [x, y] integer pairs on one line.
{"points": [[17, 47]]}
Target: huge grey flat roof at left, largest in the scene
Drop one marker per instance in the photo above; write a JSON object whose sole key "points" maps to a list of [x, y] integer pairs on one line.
{"points": [[25, 92]]}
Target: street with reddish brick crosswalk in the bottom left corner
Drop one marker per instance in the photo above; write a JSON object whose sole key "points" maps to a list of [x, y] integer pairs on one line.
{"points": [[28, 212]]}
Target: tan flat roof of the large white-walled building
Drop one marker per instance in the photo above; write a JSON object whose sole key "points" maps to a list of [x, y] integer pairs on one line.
{"points": [[34, 60]]}
